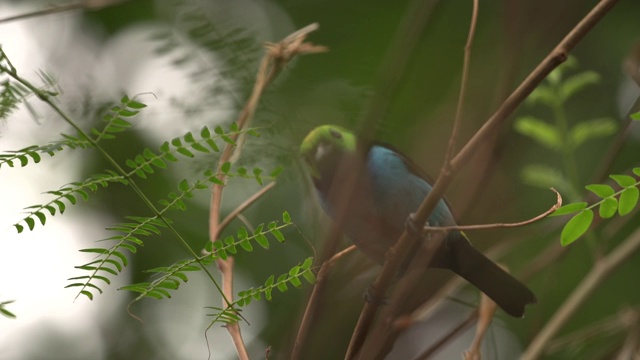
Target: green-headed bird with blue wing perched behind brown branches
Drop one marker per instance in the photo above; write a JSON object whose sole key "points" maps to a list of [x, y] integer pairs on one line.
{"points": [[387, 190]]}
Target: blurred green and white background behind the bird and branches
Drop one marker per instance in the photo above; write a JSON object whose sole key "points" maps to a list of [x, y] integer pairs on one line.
{"points": [[196, 61]]}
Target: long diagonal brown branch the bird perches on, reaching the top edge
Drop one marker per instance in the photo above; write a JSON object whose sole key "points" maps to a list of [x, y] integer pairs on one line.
{"points": [[398, 252]]}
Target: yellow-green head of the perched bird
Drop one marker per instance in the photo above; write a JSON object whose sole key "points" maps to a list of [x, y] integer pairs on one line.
{"points": [[324, 147]]}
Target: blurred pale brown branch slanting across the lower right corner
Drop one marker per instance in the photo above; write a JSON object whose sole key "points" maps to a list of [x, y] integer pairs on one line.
{"points": [[597, 275]]}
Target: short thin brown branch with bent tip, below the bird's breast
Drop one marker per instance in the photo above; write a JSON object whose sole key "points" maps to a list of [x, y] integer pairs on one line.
{"points": [[314, 299]]}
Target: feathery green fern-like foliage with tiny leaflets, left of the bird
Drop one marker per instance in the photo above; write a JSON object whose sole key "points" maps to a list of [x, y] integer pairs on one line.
{"points": [[130, 235]]}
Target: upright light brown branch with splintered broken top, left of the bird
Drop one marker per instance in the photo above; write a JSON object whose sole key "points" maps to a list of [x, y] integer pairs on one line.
{"points": [[276, 58]]}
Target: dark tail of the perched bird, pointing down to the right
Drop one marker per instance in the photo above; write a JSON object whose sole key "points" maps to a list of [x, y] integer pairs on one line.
{"points": [[509, 293]]}
